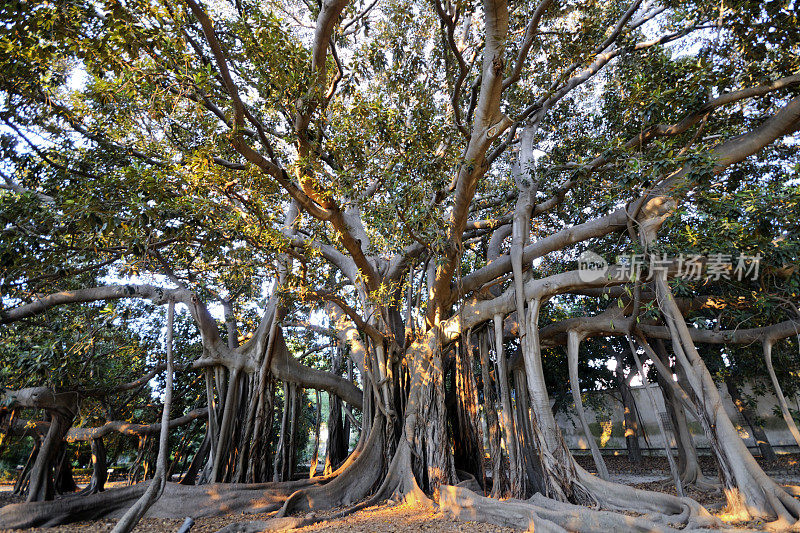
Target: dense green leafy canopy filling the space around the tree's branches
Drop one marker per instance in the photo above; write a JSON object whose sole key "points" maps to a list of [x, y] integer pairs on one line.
{"points": [[120, 135]]}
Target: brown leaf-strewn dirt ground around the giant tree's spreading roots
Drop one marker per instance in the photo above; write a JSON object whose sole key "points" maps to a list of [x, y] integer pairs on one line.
{"points": [[652, 474]]}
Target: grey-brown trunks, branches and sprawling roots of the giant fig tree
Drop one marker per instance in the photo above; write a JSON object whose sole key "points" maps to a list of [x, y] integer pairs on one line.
{"points": [[421, 436]]}
